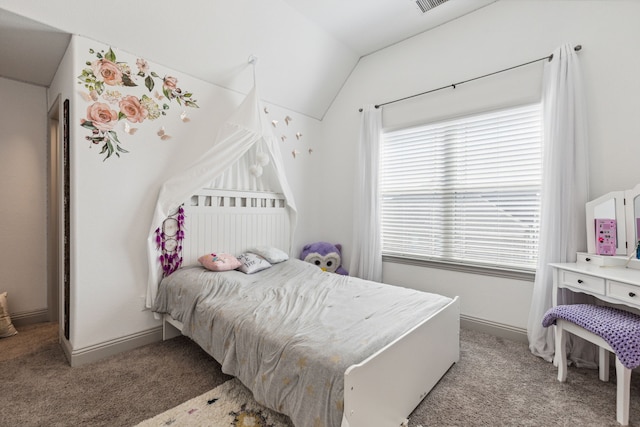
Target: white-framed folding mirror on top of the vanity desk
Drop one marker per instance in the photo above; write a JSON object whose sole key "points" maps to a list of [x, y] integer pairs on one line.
{"points": [[623, 207]]}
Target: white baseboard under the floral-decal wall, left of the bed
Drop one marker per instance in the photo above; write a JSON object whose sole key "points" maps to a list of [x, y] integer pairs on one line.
{"points": [[83, 356]]}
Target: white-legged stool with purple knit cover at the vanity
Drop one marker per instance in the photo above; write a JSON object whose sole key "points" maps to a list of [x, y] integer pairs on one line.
{"points": [[612, 330]]}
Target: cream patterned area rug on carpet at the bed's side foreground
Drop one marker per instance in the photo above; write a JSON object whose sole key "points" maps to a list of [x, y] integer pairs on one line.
{"points": [[228, 405]]}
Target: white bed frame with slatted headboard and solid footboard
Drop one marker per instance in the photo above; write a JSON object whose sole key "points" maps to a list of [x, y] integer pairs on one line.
{"points": [[381, 390]]}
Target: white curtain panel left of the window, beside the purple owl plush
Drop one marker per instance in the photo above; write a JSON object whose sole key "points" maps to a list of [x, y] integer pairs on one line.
{"points": [[366, 260]]}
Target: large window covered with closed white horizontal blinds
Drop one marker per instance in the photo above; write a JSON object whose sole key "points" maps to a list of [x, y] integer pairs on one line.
{"points": [[464, 191]]}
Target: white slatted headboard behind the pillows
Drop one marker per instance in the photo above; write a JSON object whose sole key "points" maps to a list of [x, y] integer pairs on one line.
{"points": [[232, 222]]}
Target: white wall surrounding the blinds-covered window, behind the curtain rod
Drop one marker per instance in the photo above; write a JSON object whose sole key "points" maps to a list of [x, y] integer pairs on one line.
{"points": [[498, 36]]}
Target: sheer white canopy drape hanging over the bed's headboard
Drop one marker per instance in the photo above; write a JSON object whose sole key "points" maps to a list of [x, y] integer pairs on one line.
{"points": [[243, 135]]}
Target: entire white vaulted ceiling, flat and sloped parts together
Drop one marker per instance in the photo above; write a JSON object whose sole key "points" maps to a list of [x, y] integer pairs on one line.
{"points": [[306, 49]]}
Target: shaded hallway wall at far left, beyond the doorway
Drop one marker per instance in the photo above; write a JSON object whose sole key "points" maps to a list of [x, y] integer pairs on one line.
{"points": [[23, 196]]}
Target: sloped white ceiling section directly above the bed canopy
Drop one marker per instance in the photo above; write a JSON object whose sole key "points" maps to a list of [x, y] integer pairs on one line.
{"points": [[302, 66]]}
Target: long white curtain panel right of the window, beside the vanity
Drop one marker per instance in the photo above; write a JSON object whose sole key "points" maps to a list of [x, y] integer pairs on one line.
{"points": [[565, 188]]}
